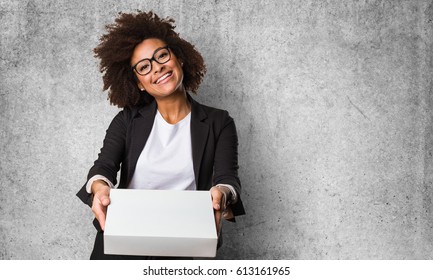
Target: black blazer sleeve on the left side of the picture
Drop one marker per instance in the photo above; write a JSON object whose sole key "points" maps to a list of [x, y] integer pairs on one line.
{"points": [[111, 154]]}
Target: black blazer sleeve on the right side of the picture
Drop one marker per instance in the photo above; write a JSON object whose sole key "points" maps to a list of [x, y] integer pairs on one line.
{"points": [[226, 160]]}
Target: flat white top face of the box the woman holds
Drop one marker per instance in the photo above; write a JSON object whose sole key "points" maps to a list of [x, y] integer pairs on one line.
{"points": [[160, 213]]}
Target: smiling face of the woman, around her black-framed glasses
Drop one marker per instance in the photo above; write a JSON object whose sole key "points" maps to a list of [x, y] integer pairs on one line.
{"points": [[164, 79]]}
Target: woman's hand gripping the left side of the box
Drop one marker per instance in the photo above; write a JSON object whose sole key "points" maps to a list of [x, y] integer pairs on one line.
{"points": [[101, 199]]}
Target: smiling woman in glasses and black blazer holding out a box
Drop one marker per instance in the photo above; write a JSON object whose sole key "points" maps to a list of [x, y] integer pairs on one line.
{"points": [[162, 139]]}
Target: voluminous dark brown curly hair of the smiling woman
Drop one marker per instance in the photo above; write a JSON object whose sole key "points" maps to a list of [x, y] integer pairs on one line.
{"points": [[117, 45]]}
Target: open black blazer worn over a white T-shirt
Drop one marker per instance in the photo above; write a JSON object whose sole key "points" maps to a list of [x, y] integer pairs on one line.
{"points": [[214, 148]]}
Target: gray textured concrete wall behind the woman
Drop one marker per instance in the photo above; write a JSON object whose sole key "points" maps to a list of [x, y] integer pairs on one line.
{"points": [[332, 100]]}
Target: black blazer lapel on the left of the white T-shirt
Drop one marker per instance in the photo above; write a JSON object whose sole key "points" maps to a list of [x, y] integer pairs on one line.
{"points": [[141, 127]]}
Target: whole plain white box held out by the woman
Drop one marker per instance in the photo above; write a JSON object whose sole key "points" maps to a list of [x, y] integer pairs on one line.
{"points": [[160, 223]]}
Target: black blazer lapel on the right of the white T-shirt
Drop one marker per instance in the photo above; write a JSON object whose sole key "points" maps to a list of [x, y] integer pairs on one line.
{"points": [[199, 136]]}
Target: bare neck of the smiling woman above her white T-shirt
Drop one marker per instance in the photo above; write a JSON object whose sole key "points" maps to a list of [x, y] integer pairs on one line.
{"points": [[174, 107]]}
